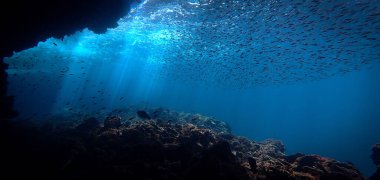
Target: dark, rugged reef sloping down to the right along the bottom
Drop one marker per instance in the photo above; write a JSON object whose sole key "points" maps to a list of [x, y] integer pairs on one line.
{"points": [[156, 148]]}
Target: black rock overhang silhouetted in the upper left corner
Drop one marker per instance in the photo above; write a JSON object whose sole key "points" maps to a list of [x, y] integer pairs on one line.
{"points": [[42, 19]]}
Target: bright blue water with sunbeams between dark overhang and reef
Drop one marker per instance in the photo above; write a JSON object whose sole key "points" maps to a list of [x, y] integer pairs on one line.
{"points": [[304, 72]]}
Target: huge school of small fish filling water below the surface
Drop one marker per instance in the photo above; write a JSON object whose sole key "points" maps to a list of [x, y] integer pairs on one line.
{"points": [[226, 43]]}
